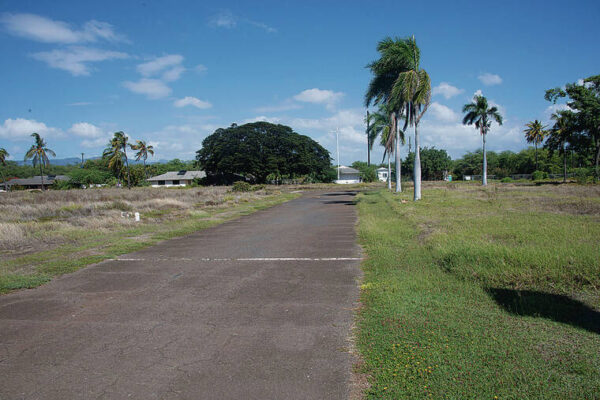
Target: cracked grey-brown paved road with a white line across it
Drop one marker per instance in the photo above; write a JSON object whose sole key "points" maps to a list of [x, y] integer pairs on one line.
{"points": [[257, 308]]}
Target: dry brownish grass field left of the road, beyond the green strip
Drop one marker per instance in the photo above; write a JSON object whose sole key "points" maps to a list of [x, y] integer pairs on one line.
{"points": [[34, 221]]}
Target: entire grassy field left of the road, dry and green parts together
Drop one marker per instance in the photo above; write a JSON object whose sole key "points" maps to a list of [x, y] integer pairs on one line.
{"points": [[44, 234]]}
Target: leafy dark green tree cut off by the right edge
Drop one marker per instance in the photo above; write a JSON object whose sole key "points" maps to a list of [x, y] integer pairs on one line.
{"points": [[584, 100]]}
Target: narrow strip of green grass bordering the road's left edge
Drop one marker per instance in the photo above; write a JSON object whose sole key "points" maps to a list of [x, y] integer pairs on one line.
{"points": [[40, 267]]}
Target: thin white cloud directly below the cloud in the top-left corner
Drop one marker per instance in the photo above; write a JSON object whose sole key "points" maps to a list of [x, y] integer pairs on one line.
{"points": [[76, 59]]}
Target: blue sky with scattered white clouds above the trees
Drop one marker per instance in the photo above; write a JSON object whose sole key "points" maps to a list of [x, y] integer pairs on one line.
{"points": [[171, 73]]}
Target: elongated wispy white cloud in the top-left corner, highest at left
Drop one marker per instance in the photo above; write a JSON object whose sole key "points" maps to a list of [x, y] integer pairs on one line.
{"points": [[42, 29]]}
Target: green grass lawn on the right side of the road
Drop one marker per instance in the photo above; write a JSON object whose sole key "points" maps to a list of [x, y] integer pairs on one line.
{"points": [[477, 294]]}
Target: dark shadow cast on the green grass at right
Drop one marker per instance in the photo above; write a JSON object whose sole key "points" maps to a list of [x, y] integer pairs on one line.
{"points": [[550, 306]]}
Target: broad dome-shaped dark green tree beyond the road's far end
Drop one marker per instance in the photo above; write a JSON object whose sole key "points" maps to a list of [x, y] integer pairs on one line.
{"points": [[259, 149]]}
